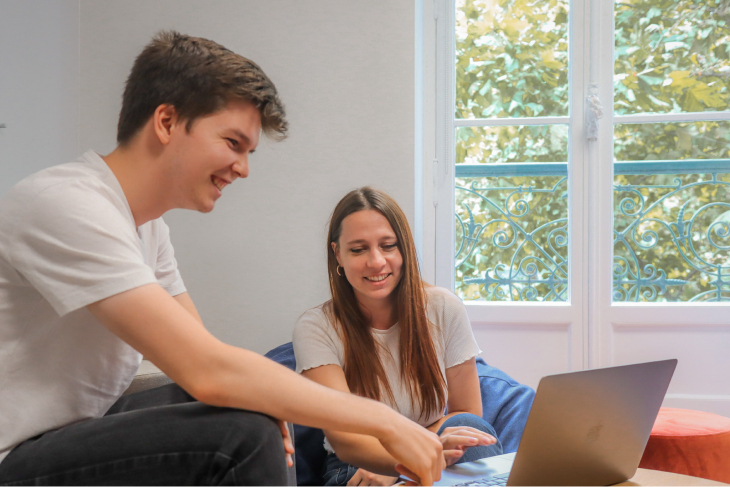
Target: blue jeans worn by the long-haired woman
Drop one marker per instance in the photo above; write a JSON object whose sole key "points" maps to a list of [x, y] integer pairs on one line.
{"points": [[337, 473]]}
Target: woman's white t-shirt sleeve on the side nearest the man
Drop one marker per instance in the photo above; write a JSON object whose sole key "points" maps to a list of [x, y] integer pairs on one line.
{"points": [[316, 342]]}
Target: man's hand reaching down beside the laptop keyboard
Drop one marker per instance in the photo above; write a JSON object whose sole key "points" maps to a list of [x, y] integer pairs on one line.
{"points": [[418, 451]]}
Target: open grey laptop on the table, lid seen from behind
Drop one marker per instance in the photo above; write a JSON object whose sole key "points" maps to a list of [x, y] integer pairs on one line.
{"points": [[586, 428]]}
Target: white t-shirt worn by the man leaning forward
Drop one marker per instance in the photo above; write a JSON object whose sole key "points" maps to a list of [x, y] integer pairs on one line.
{"points": [[68, 239]]}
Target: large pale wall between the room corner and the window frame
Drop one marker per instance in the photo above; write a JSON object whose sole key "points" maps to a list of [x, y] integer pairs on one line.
{"points": [[345, 70]]}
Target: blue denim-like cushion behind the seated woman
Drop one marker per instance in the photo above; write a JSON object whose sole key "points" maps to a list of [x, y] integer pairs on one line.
{"points": [[505, 405]]}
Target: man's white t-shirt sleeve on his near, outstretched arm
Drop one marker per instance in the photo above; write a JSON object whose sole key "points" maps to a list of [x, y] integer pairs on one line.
{"points": [[76, 247]]}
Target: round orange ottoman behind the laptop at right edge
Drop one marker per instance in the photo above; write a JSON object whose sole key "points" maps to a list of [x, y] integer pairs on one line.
{"points": [[689, 443]]}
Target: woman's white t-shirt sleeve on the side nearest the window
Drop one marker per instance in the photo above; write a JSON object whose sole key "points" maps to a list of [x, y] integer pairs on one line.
{"points": [[459, 340]]}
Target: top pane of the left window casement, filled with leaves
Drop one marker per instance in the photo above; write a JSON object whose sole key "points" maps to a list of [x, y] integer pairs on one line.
{"points": [[511, 58]]}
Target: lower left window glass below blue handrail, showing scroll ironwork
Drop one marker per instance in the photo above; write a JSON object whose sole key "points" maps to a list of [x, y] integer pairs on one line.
{"points": [[512, 238]]}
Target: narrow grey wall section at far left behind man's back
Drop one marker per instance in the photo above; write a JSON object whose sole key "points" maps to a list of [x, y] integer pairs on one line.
{"points": [[39, 59]]}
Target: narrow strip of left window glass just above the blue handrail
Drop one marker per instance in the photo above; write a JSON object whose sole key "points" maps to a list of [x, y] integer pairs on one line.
{"points": [[535, 143]]}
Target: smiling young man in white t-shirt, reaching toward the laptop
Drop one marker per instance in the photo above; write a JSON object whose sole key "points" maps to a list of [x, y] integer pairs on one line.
{"points": [[88, 283]]}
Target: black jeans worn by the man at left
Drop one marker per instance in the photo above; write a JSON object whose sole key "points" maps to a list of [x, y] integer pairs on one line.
{"points": [[159, 437]]}
